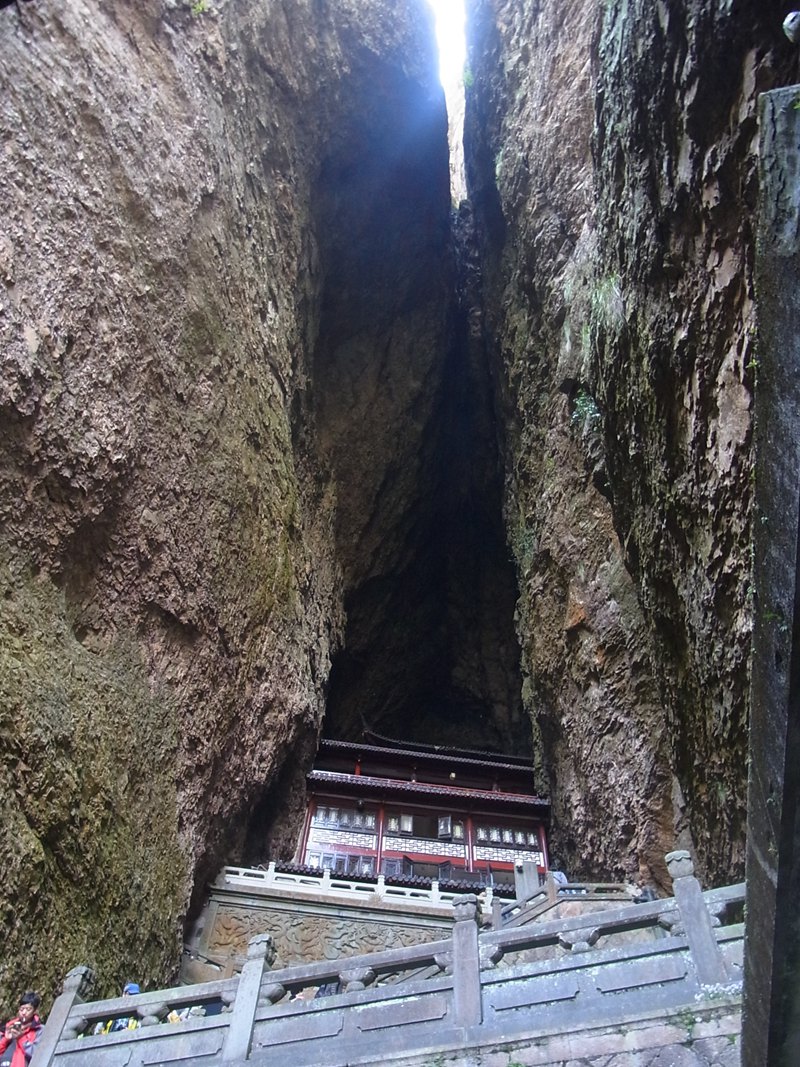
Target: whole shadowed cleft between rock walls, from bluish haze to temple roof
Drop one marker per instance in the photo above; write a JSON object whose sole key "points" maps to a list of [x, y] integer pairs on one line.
{"points": [[402, 412]]}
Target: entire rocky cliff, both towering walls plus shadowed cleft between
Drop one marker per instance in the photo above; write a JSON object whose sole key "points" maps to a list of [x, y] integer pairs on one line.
{"points": [[271, 438]]}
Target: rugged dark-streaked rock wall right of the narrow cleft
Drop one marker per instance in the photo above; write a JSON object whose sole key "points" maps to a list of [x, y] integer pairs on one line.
{"points": [[612, 160]]}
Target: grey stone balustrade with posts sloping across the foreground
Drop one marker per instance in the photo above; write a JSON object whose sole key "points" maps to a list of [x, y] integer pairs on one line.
{"points": [[472, 991]]}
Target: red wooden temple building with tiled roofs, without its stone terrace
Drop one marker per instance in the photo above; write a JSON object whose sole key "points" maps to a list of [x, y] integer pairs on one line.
{"points": [[422, 813]]}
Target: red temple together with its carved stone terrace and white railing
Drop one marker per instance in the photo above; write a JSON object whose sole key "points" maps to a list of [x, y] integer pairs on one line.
{"points": [[393, 834]]}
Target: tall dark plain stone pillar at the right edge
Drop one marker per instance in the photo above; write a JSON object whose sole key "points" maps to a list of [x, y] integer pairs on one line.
{"points": [[772, 1012]]}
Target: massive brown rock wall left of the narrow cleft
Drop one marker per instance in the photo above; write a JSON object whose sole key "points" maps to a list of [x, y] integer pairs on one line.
{"points": [[172, 591]]}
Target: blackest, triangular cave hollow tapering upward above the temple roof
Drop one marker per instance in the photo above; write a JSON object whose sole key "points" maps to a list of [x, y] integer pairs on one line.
{"points": [[431, 655]]}
